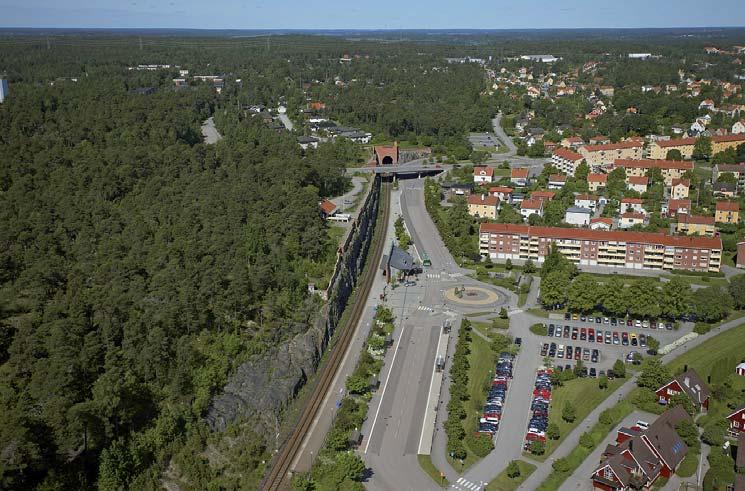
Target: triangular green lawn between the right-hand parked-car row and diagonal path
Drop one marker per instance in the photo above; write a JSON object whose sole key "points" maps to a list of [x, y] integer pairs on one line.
{"points": [[584, 396]]}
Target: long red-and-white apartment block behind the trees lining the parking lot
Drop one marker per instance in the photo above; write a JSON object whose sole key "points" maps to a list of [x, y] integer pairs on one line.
{"points": [[613, 249]]}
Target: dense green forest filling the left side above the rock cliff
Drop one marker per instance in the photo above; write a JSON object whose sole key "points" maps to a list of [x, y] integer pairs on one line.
{"points": [[138, 267]]}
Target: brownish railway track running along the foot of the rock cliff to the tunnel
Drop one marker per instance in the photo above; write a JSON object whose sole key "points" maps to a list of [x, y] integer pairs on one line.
{"points": [[278, 477]]}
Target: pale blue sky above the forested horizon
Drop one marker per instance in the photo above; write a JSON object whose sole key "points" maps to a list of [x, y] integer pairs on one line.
{"points": [[380, 14]]}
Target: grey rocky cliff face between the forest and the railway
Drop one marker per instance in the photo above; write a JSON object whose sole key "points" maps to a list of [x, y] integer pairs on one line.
{"points": [[263, 387]]}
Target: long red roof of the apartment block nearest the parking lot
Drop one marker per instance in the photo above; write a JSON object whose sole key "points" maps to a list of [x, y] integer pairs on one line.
{"points": [[603, 235]]}
